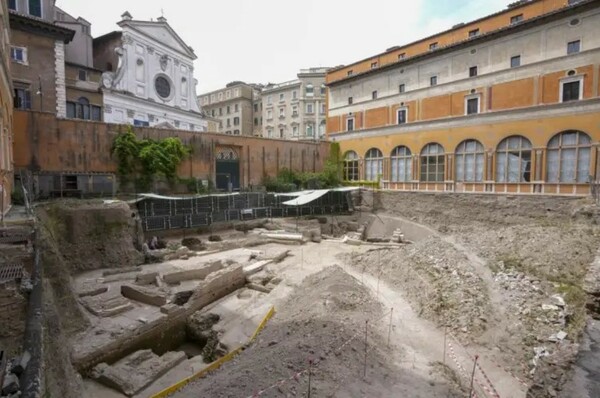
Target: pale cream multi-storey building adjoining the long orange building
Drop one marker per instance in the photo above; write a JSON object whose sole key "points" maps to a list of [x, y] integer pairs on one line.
{"points": [[296, 110]]}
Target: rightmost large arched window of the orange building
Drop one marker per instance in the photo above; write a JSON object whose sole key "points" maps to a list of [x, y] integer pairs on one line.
{"points": [[569, 157]]}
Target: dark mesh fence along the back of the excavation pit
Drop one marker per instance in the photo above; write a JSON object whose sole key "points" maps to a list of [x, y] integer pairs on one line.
{"points": [[163, 213]]}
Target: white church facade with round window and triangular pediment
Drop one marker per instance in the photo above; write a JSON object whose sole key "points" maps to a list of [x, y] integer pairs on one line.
{"points": [[148, 77]]}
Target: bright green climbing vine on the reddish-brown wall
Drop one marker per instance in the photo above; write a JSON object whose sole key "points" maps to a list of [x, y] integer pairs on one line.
{"points": [[146, 158]]}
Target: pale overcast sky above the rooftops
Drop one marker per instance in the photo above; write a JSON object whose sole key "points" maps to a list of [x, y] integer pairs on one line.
{"points": [[261, 41]]}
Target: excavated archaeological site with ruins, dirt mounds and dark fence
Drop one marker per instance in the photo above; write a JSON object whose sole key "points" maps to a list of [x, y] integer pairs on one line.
{"points": [[331, 293]]}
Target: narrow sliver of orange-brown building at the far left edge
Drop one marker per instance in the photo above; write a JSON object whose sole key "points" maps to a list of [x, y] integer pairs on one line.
{"points": [[6, 115]]}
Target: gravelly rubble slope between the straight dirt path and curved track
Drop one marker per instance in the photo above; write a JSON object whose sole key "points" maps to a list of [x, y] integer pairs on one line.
{"points": [[437, 279]]}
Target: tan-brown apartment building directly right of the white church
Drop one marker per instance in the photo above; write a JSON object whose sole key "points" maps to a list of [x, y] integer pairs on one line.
{"points": [[233, 107]]}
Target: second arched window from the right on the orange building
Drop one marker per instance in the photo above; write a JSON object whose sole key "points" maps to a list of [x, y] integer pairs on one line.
{"points": [[513, 160]]}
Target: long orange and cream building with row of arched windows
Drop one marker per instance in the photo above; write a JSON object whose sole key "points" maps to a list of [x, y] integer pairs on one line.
{"points": [[507, 104]]}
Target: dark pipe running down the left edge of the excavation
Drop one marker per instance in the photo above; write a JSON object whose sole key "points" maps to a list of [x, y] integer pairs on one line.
{"points": [[31, 380]]}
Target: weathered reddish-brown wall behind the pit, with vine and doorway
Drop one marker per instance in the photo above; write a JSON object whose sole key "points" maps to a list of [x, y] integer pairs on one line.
{"points": [[45, 143]]}
